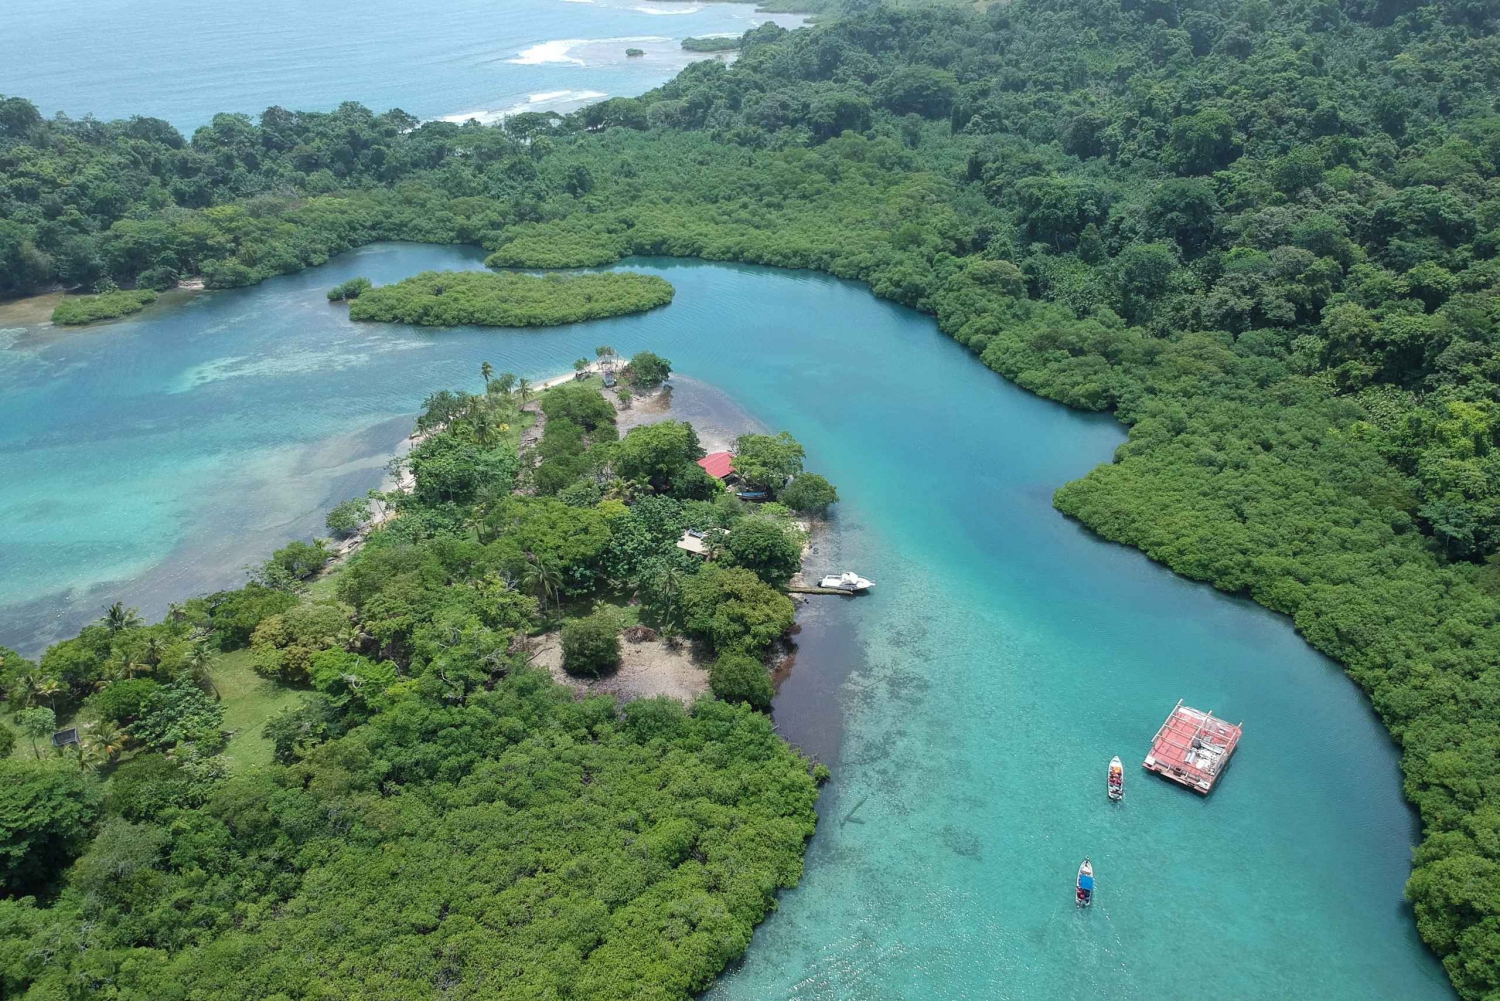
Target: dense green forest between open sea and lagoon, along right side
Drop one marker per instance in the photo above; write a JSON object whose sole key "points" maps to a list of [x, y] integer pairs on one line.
{"points": [[1261, 233]]}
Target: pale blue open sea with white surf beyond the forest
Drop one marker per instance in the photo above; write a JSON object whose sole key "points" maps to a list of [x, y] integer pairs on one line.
{"points": [[455, 59]]}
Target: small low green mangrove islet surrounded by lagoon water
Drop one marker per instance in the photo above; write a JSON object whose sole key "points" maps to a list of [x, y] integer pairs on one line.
{"points": [[451, 299]]}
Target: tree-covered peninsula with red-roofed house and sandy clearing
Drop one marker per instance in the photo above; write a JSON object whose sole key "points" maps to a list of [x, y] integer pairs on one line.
{"points": [[508, 681]]}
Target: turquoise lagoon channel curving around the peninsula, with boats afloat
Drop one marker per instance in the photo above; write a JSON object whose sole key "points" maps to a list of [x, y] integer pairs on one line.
{"points": [[970, 705]]}
